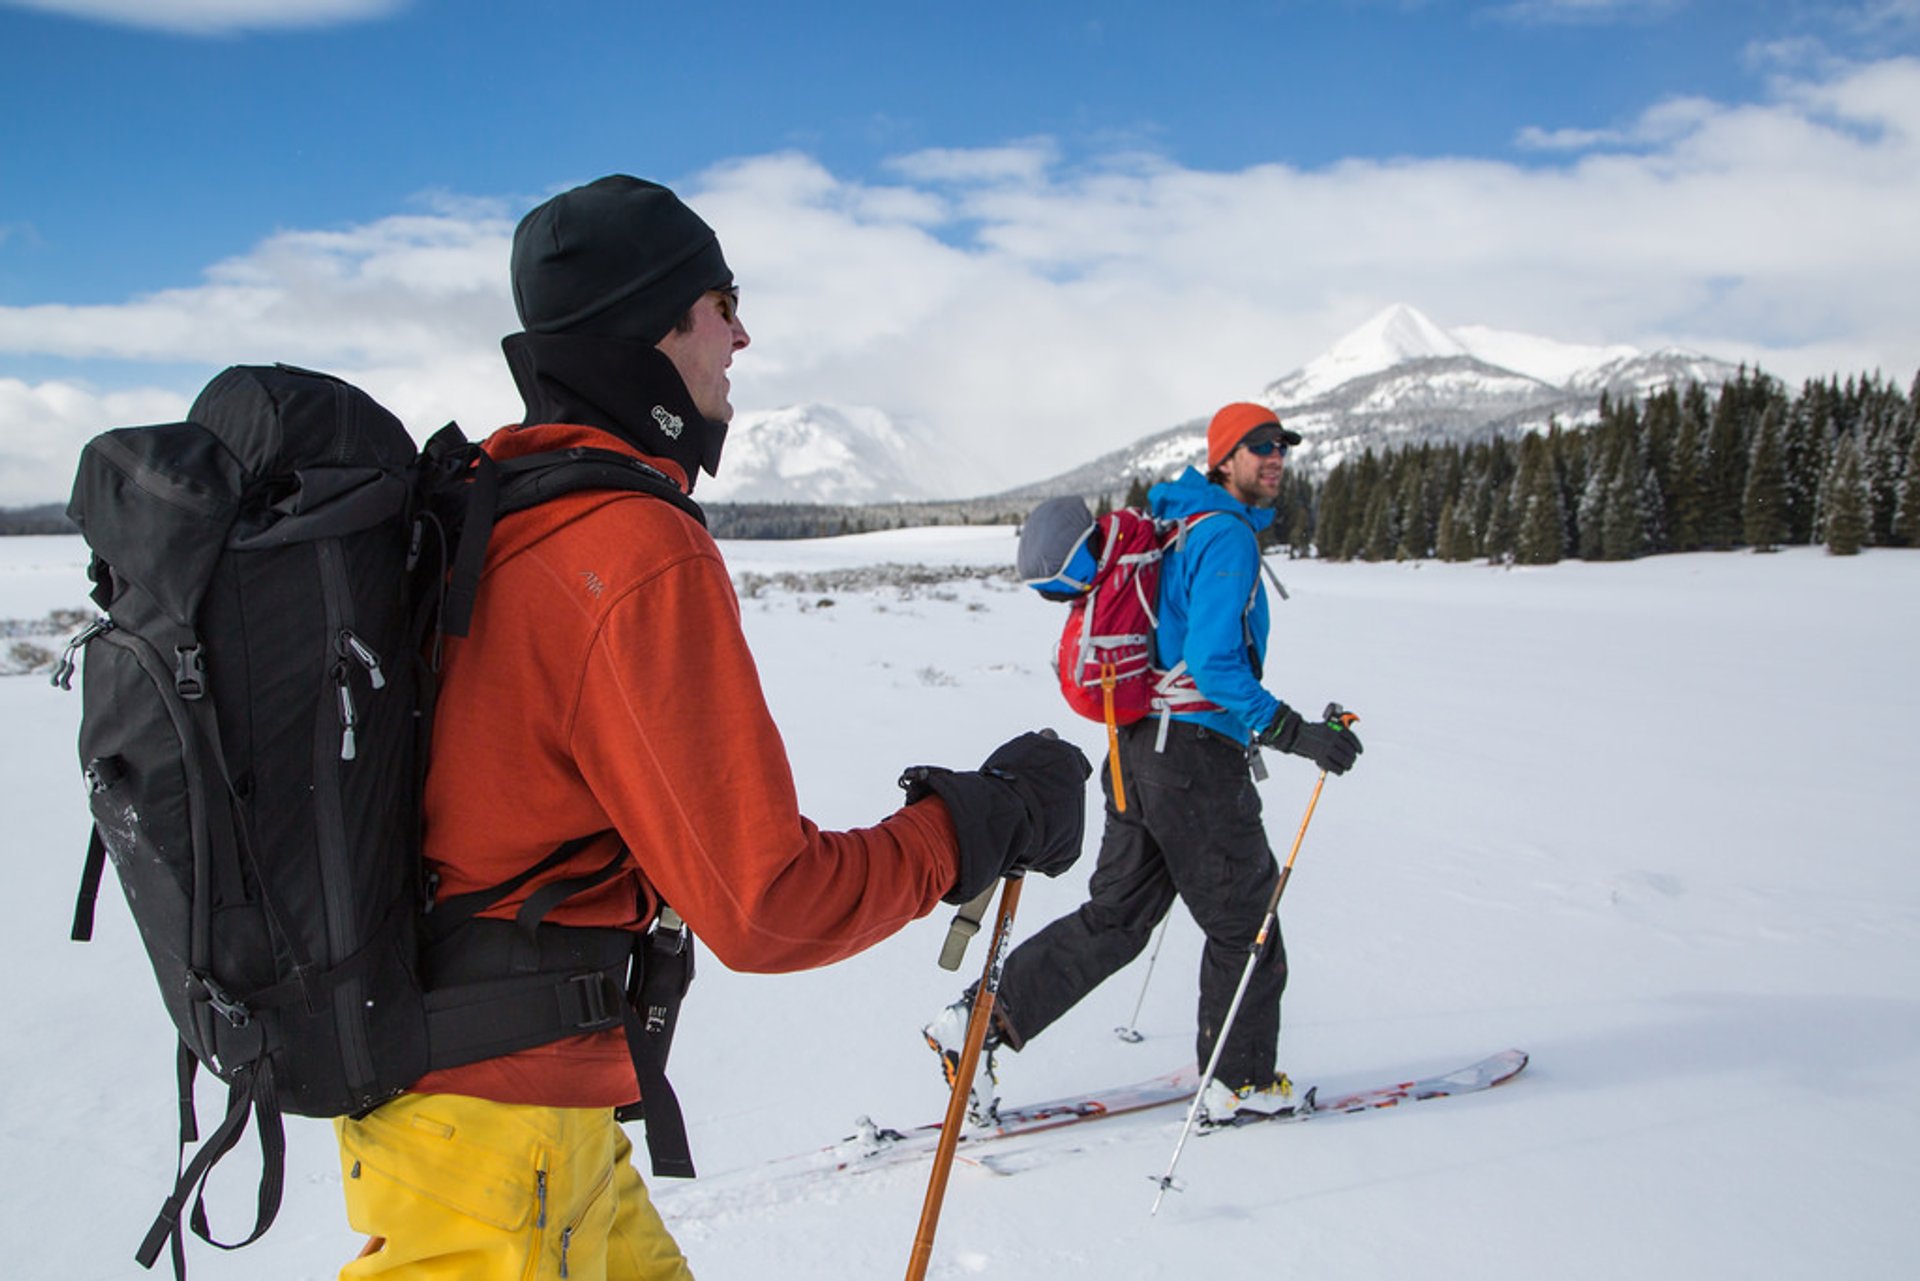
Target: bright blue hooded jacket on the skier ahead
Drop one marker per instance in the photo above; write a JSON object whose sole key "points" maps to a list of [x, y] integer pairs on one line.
{"points": [[1207, 587]]}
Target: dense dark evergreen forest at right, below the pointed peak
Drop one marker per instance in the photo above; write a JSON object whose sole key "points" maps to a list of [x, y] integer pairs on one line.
{"points": [[1689, 470]]}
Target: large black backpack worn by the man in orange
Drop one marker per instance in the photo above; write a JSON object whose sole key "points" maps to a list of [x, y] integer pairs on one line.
{"points": [[277, 573]]}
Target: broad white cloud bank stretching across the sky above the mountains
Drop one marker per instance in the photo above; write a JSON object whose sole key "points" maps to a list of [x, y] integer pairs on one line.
{"points": [[1038, 314]]}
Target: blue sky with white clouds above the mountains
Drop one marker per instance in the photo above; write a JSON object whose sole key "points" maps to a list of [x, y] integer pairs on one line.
{"points": [[1061, 226]]}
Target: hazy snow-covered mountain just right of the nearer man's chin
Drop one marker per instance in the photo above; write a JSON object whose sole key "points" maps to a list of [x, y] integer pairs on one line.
{"points": [[825, 454]]}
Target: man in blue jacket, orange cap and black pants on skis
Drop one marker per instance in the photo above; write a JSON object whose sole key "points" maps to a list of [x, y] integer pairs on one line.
{"points": [[1193, 821]]}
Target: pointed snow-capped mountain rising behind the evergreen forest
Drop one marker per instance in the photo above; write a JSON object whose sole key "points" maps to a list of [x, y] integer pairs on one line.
{"points": [[1403, 379]]}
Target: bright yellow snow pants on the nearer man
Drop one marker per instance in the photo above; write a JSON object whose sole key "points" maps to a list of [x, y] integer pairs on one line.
{"points": [[452, 1188]]}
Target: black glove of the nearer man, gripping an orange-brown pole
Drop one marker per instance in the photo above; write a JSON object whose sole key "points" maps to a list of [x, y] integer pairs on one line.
{"points": [[1022, 811]]}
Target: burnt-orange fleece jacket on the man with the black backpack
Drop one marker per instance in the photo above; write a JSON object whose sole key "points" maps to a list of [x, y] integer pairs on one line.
{"points": [[606, 685]]}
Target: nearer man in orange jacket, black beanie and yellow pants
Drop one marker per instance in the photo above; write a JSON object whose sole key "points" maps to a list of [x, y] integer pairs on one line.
{"points": [[606, 702]]}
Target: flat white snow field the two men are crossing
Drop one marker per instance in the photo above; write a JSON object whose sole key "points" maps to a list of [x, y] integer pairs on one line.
{"points": [[1652, 823]]}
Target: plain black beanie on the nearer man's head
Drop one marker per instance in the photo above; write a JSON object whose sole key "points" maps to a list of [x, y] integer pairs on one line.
{"points": [[619, 258]]}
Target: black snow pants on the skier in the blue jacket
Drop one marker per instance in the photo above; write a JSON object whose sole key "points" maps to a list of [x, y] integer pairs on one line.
{"points": [[1191, 829]]}
